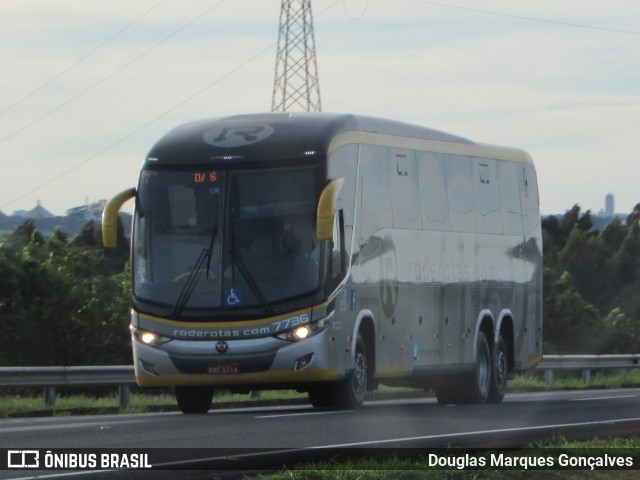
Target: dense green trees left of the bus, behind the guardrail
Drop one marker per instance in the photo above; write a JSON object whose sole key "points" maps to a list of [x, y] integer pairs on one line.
{"points": [[63, 302]]}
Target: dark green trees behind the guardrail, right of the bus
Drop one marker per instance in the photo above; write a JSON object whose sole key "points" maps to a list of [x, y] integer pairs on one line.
{"points": [[591, 284]]}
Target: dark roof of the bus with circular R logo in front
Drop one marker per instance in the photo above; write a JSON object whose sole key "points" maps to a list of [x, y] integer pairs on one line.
{"points": [[272, 137]]}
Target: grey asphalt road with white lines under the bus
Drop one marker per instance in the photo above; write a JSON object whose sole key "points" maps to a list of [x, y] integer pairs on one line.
{"points": [[383, 426]]}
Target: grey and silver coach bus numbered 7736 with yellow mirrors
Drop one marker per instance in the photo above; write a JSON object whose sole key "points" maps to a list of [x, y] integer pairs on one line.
{"points": [[331, 254]]}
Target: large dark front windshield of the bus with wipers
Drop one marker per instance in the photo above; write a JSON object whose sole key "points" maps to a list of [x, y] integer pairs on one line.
{"points": [[225, 239]]}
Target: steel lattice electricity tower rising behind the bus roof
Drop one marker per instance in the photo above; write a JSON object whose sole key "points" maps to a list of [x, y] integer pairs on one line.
{"points": [[296, 80]]}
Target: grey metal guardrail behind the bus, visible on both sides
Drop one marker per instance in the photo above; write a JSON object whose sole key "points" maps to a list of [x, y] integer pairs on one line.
{"points": [[122, 376]]}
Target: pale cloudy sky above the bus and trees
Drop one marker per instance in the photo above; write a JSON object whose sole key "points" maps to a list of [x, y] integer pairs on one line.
{"points": [[87, 87]]}
